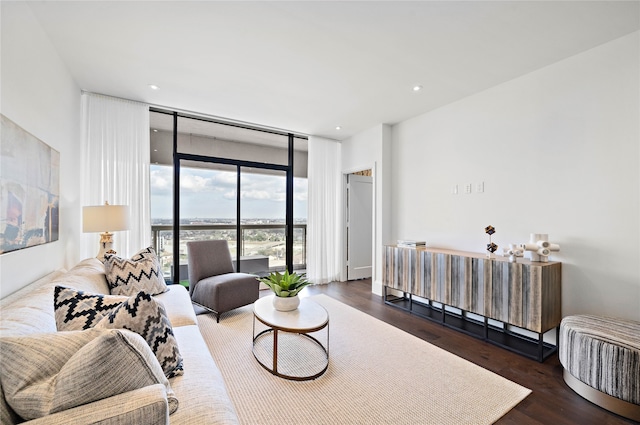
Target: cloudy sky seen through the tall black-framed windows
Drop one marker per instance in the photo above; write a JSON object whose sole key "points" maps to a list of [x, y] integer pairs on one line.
{"points": [[212, 194]]}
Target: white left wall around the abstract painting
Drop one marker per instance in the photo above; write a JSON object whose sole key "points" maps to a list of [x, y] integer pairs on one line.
{"points": [[39, 95]]}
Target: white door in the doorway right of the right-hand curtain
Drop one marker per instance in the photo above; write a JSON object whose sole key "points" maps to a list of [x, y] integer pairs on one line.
{"points": [[359, 226]]}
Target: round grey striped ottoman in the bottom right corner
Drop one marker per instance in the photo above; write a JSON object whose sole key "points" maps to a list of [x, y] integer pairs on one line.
{"points": [[601, 361]]}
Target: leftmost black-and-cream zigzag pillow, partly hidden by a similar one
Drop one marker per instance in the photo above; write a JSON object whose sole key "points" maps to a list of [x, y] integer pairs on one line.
{"points": [[77, 310]]}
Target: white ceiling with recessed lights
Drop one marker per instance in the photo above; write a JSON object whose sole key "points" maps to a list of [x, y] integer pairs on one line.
{"points": [[309, 66]]}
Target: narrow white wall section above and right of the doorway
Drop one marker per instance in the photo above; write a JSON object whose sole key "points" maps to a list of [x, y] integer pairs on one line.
{"points": [[371, 149]]}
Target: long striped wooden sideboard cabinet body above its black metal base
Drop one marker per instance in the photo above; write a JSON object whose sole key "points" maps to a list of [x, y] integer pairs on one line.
{"points": [[525, 294]]}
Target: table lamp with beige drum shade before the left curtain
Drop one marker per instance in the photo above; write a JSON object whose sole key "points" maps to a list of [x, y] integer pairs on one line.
{"points": [[105, 219]]}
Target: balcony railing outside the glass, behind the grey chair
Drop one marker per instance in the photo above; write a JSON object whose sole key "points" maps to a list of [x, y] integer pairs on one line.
{"points": [[262, 246]]}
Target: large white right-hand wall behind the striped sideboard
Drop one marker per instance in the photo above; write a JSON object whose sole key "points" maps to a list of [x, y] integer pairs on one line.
{"points": [[558, 152]]}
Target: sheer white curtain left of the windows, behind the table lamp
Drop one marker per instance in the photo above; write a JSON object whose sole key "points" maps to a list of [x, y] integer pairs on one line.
{"points": [[115, 167]]}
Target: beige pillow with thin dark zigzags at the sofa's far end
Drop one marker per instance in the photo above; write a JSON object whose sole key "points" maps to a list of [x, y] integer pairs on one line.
{"points": [[140, 273]]}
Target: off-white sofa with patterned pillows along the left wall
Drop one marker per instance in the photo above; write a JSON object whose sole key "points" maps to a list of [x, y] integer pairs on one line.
{"points": [[201, 392]]}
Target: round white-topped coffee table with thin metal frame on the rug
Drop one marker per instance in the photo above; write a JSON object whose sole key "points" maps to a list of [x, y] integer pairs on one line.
{"points": [[287, 348]]}
